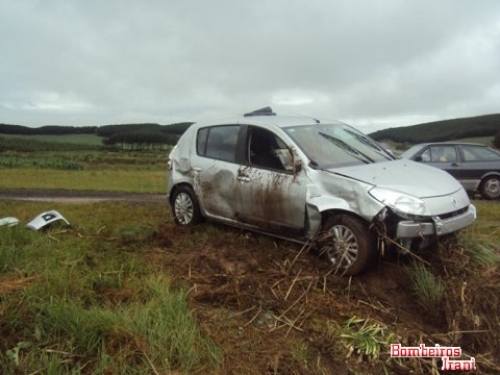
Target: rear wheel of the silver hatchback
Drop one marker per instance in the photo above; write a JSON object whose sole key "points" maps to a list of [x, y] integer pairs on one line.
{"points": [[185, 207]]}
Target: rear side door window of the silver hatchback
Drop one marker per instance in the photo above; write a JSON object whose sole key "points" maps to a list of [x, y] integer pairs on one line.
{"points": [[218, 142]]}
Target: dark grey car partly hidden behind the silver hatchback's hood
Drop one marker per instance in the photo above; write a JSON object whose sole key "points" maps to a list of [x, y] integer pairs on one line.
{"points": [[475, 166]]}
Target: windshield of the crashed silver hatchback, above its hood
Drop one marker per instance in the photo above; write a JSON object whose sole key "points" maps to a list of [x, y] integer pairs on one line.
{"points": [[336, 145]]}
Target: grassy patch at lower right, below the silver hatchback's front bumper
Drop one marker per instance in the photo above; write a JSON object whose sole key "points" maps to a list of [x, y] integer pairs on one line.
{"points": [[459, 286]]}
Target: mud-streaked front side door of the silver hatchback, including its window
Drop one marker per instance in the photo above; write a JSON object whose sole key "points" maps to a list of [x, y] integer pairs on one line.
{"points": [[271, 191]]}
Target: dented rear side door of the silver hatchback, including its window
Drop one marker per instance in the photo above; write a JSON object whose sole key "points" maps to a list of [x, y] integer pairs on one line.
{"points": [[216, 164]]}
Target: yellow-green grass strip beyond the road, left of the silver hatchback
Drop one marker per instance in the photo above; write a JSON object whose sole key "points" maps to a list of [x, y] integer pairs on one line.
{"points": [[141, 172]]}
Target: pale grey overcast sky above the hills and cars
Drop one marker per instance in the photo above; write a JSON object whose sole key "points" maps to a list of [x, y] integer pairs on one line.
{"points": [[373, 64]]}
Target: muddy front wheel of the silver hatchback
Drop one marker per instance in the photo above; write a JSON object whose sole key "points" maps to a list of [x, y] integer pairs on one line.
{"points": [[347, 244]]}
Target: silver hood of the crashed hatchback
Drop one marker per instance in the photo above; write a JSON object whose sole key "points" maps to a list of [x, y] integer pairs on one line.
{"points": [[405, 176]]}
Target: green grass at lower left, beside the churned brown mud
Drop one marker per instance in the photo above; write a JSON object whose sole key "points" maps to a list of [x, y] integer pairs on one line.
{"points": [[82, 301]]}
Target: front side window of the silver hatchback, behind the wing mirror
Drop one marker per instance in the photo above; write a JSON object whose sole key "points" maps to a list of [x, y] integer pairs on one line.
{"points": [[267, 150]]}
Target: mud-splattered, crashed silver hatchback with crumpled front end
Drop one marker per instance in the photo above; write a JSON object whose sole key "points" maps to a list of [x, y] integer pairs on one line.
{"points": [[303, 179]]}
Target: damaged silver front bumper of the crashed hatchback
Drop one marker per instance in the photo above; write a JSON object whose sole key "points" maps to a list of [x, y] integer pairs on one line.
{"points": [[437, 226]]}
